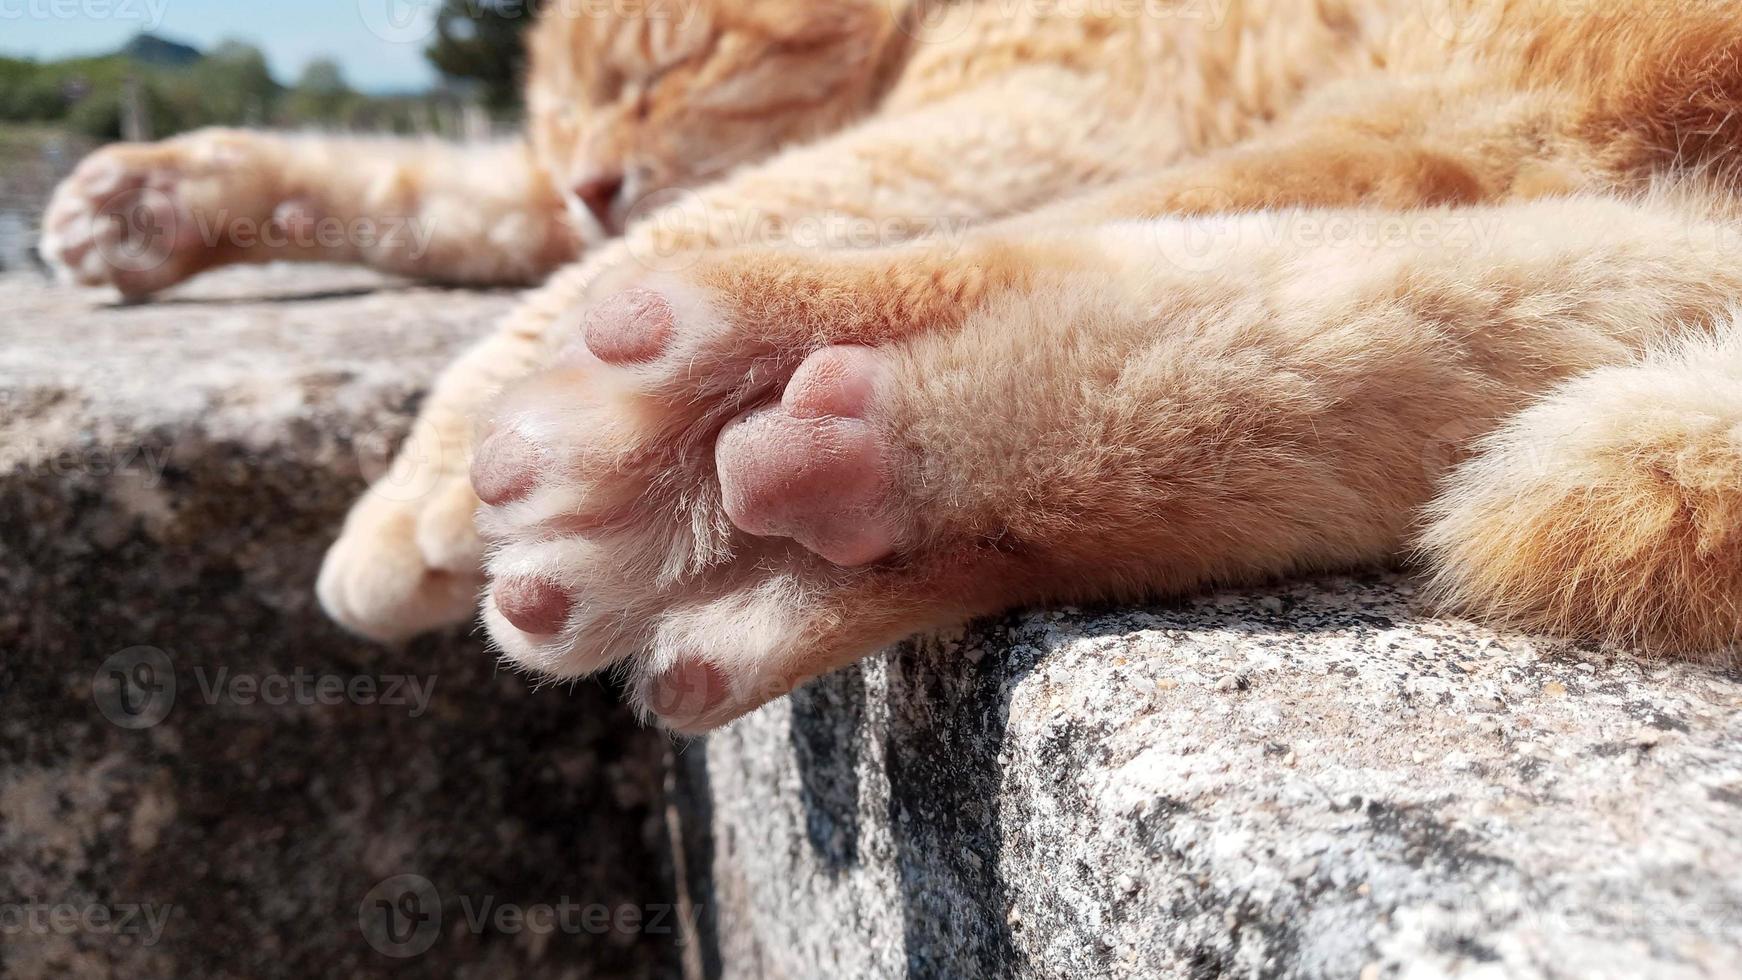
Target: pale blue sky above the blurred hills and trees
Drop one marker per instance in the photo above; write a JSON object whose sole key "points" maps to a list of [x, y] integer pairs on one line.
{"points": [[379, 43]]}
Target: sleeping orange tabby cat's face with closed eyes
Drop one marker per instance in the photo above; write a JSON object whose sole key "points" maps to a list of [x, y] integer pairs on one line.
{"points": [[637, 97]]}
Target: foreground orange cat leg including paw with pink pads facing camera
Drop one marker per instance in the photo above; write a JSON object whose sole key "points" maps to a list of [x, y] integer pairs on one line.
{"points": [[769, 464]]}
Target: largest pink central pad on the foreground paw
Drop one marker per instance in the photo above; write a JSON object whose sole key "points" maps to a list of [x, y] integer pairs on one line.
{"points": [[814, 469]]}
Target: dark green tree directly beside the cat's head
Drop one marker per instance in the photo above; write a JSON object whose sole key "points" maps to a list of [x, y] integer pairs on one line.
{"points": [[480, 43]]}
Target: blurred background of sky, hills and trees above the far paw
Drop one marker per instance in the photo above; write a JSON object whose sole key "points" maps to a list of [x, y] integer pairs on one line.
{"points": [[76, 74]]}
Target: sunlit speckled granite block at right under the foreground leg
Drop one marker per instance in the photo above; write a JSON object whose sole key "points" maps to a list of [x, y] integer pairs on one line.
{"points": [[1307, 782]]}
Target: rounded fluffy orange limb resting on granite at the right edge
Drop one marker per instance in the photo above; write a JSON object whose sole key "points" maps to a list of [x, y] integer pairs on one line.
{"points": [[1610, 511]]}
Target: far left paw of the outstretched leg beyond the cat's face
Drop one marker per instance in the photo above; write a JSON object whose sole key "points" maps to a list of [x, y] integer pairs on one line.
{"points": [[144, 217]]}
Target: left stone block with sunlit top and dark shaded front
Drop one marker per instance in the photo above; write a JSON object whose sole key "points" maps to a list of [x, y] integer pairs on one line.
{"points": [[199, 775]]}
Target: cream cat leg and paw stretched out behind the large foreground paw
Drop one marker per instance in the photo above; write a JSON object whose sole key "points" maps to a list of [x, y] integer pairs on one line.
{"points": [[407, 561]]}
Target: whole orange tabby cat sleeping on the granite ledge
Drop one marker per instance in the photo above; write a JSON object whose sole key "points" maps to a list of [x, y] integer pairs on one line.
{"points": [[874, 316]]}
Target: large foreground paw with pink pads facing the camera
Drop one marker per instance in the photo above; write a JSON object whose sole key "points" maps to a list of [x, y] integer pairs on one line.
{"points": [[708, 488]]}
